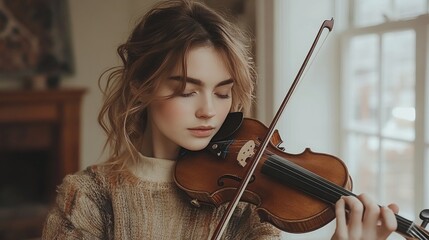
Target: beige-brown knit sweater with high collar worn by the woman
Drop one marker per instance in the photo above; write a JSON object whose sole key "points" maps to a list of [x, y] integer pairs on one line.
{"points": [[143, 203]]}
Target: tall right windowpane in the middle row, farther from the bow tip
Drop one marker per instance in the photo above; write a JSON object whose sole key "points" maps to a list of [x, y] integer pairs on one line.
{"points": [[398, 101]]}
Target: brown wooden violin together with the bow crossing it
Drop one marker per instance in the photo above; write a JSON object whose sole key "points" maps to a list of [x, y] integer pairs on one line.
{"points": [[294, 192]]}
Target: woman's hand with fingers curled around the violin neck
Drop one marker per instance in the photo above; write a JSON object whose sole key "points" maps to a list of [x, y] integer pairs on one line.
{"points": [[364, 220]]}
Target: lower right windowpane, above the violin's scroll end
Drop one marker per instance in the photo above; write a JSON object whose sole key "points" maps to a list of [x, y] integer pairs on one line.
{"points": [[398, 172]]}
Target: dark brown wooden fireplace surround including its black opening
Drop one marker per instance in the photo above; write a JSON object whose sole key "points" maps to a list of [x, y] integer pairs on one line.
{"points": [[39, 130]]}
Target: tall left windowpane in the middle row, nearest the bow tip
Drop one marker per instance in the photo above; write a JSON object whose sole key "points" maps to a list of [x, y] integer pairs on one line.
{"points": [[363, 77]]}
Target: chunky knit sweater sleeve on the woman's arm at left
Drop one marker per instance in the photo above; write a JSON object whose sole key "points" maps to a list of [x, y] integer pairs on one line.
{"points": [[82, 210]]}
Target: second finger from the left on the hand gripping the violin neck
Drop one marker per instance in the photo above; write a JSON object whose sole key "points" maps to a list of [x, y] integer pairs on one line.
{"points": [[355, 216]]}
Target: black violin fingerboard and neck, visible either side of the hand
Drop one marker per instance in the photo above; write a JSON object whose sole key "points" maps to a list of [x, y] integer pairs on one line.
{"points": [[296, 176]]}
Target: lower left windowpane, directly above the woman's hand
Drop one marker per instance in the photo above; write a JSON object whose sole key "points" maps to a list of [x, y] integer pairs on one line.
{"points": [[362, 163]]}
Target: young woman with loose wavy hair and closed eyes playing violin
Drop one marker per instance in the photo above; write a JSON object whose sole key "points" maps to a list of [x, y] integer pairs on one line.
{"points": [[184, 69]]}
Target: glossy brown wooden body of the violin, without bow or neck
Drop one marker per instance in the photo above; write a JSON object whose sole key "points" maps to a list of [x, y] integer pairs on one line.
{"points": [[212, 176]]}
